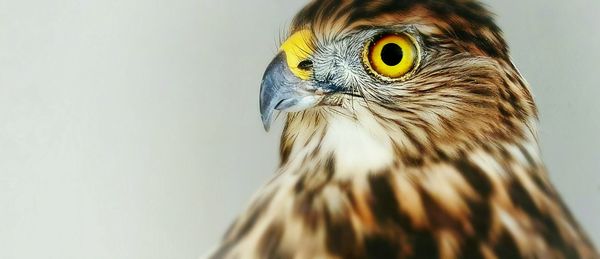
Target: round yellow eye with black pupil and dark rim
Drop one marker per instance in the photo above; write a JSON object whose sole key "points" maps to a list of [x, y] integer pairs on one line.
{"points": [[392, 56]]}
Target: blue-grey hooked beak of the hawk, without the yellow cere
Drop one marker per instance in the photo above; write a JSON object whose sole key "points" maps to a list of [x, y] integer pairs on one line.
{"points": [[282, 90]]}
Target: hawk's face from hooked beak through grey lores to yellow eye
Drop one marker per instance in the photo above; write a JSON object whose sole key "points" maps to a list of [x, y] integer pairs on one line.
{"points": [[368, 63]]}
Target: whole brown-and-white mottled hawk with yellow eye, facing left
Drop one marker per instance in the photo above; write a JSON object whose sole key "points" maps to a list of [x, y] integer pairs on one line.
{"points": [[409, 133]]}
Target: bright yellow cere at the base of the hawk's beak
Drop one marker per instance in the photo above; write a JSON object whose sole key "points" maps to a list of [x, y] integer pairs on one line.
{"points": [[297, 48]]}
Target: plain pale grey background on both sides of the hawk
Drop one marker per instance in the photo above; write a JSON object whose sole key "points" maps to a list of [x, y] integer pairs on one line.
{"points": [[130, 129]]}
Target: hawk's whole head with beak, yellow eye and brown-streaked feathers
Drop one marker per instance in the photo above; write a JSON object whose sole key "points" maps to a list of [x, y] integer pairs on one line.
{"points": [[416, 77]]}
